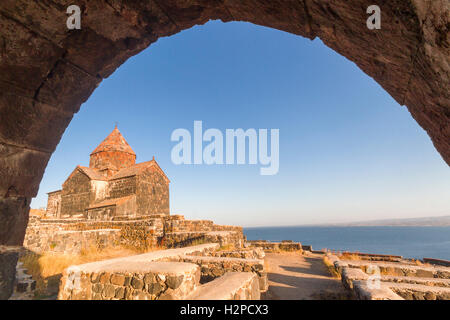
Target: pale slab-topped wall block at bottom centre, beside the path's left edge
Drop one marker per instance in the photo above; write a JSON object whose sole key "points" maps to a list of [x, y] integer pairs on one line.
{"points": [[231, 286]]}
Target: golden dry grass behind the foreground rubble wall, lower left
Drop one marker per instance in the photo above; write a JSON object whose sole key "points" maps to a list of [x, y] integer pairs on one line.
{"points": [[47, 268]]}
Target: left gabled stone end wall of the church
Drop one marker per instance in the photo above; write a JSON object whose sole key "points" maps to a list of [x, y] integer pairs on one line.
{"points": [[76, 194]]}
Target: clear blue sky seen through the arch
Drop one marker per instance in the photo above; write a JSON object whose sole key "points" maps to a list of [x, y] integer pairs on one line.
{"points": [[348, 151]]}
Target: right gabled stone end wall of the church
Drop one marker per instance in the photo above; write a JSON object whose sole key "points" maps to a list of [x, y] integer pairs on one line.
{"points": [[152, 194]]}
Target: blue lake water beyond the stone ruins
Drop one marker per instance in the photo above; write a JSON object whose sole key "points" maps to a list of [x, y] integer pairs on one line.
{"points": [[409, 242]]}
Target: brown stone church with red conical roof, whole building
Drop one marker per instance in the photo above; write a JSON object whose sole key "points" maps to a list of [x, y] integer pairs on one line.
{"points": [[112, 186]]}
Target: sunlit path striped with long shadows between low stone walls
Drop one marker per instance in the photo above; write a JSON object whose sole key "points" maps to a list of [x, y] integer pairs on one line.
{"points": [[301, 277]]}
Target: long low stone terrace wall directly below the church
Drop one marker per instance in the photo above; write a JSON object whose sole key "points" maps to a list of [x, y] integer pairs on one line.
{"points": [[140, 232]]}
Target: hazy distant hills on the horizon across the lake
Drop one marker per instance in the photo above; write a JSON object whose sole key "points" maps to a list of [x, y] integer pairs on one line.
{"points": [[442, 221]]}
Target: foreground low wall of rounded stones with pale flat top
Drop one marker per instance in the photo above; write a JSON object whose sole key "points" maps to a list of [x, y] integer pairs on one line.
{"points": [[129, 281]]}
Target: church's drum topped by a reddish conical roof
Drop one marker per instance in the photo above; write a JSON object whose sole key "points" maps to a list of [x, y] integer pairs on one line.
{"points": [[113, 154]]}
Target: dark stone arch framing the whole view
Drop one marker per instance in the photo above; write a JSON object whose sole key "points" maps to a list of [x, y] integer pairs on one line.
{"points": [[48, 71]]}
